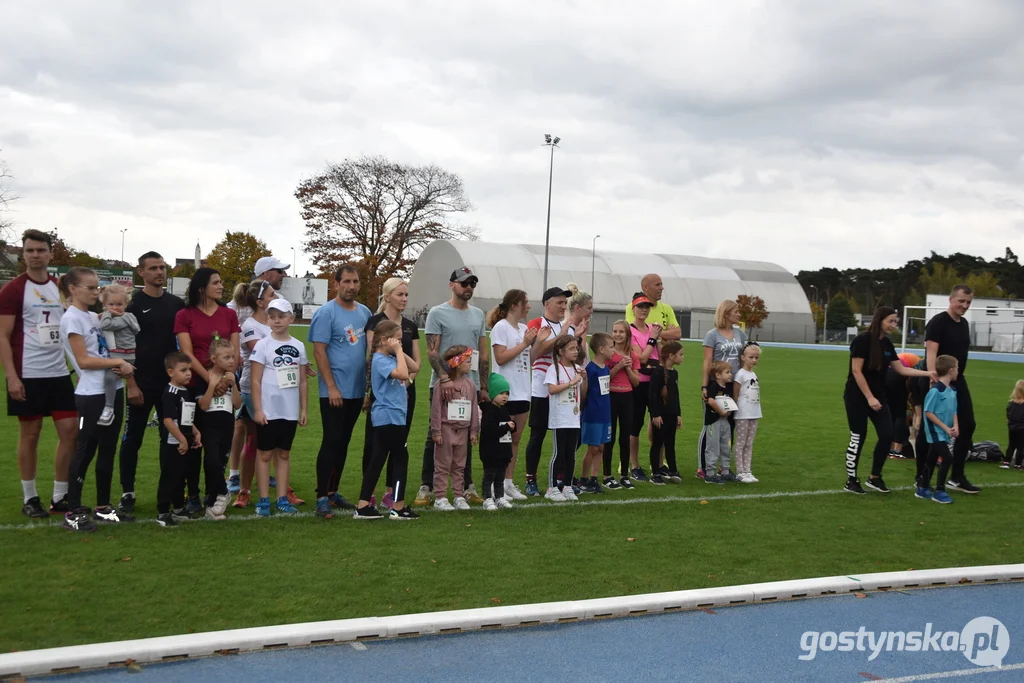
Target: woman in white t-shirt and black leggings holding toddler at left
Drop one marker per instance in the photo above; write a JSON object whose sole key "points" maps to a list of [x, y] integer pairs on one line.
{"points": [[86, 347]]}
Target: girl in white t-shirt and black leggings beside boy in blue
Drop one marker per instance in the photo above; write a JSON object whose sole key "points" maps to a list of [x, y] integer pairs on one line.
{"points": [[567, 385]]}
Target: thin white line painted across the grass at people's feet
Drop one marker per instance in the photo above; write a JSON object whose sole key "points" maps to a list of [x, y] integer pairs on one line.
{"points": [[590, 500]]}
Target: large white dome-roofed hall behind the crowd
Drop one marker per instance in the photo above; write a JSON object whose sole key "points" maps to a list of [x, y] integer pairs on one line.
{"points": [[694, 285]]}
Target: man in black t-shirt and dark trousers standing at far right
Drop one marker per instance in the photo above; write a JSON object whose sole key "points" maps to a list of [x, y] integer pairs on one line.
{"points": [[950, 334]]}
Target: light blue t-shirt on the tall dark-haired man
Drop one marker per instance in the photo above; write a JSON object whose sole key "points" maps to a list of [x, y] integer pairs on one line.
{"points": [[345, 333]]}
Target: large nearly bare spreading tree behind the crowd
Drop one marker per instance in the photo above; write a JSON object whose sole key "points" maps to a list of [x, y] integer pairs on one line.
{"points": [[379, 216]]}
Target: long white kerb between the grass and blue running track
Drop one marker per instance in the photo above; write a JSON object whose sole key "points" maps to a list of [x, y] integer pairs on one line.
{"points": [[151, 651]]}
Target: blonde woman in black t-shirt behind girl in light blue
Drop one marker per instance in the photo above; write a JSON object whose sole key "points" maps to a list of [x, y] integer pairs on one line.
{"points": [[395, 298]]}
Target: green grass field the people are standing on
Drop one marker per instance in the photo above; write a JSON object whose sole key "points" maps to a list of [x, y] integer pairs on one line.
{"points": [[139, 581]]}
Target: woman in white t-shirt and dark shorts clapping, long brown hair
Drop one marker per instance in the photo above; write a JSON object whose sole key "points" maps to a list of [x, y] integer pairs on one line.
{"points": [[510, 345]]}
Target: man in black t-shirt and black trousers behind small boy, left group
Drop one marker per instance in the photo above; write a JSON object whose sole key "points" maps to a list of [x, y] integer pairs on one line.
{"points": [[155, 310]]}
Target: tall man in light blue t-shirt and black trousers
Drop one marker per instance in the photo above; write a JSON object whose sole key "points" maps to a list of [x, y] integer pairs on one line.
{"points": [[340, 349]]}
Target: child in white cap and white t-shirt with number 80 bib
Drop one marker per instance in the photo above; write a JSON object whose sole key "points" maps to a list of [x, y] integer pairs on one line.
{"points": [[279, 386]]}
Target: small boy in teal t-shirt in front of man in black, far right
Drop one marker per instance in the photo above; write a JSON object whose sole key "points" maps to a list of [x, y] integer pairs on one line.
{"points": [[942, 429]]}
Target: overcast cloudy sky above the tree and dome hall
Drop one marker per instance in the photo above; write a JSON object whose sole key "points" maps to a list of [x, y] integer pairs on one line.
{"points": [[796, 132]]}
